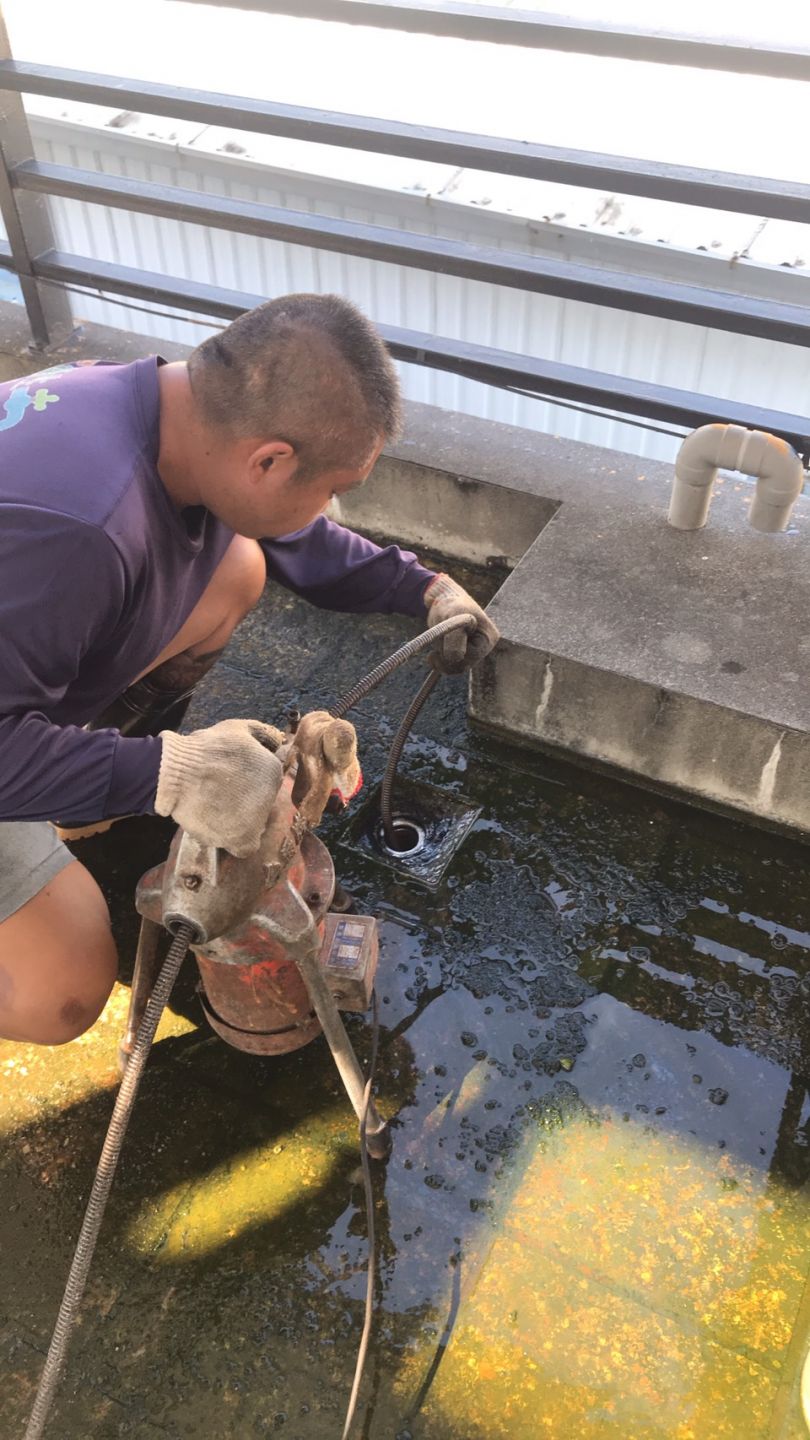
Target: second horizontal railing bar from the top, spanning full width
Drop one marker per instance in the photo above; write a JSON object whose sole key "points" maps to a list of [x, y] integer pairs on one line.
{"points": [[685, 185]]}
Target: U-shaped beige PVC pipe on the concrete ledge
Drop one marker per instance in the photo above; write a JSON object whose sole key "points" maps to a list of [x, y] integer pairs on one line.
{"points": [[773, 462]]}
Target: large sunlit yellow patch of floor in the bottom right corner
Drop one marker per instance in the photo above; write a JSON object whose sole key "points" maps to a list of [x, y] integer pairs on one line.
{"points": [[638, 1287]]}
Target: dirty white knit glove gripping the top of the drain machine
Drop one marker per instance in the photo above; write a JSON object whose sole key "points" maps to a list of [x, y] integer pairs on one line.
{"points": [[220, 784]]}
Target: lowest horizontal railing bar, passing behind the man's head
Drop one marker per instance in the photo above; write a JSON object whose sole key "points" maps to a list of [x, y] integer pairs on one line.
{"points": [[547, 379]]}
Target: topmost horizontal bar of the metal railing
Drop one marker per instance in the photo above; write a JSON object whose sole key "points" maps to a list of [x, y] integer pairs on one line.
{"points": [[497, 25]]}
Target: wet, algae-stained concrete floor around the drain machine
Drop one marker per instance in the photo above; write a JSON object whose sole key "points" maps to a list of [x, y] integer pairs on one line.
{"points": [[595, 1043]]}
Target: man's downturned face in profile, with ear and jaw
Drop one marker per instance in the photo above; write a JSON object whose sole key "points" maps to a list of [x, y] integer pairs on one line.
{"points": [[267, 500]]}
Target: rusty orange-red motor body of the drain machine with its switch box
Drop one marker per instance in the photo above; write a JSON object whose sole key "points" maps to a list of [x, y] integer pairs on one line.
{"points": [[252, 990]]}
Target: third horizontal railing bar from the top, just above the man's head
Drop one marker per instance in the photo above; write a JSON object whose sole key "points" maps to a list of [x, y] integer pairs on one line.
{"points": [[649, 296]]}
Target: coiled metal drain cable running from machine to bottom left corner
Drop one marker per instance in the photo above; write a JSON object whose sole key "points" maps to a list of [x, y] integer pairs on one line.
{"points": [[103, 1182]]}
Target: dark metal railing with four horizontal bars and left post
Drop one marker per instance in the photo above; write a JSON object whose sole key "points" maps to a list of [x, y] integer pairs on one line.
{"points": [[32, 254]]}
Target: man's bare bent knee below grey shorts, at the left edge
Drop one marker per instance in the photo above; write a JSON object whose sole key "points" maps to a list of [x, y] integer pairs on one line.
{"points": [[58, 961]]}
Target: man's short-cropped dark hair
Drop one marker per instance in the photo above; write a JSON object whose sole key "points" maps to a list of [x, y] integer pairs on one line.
{"points": [[306, 369]]}
